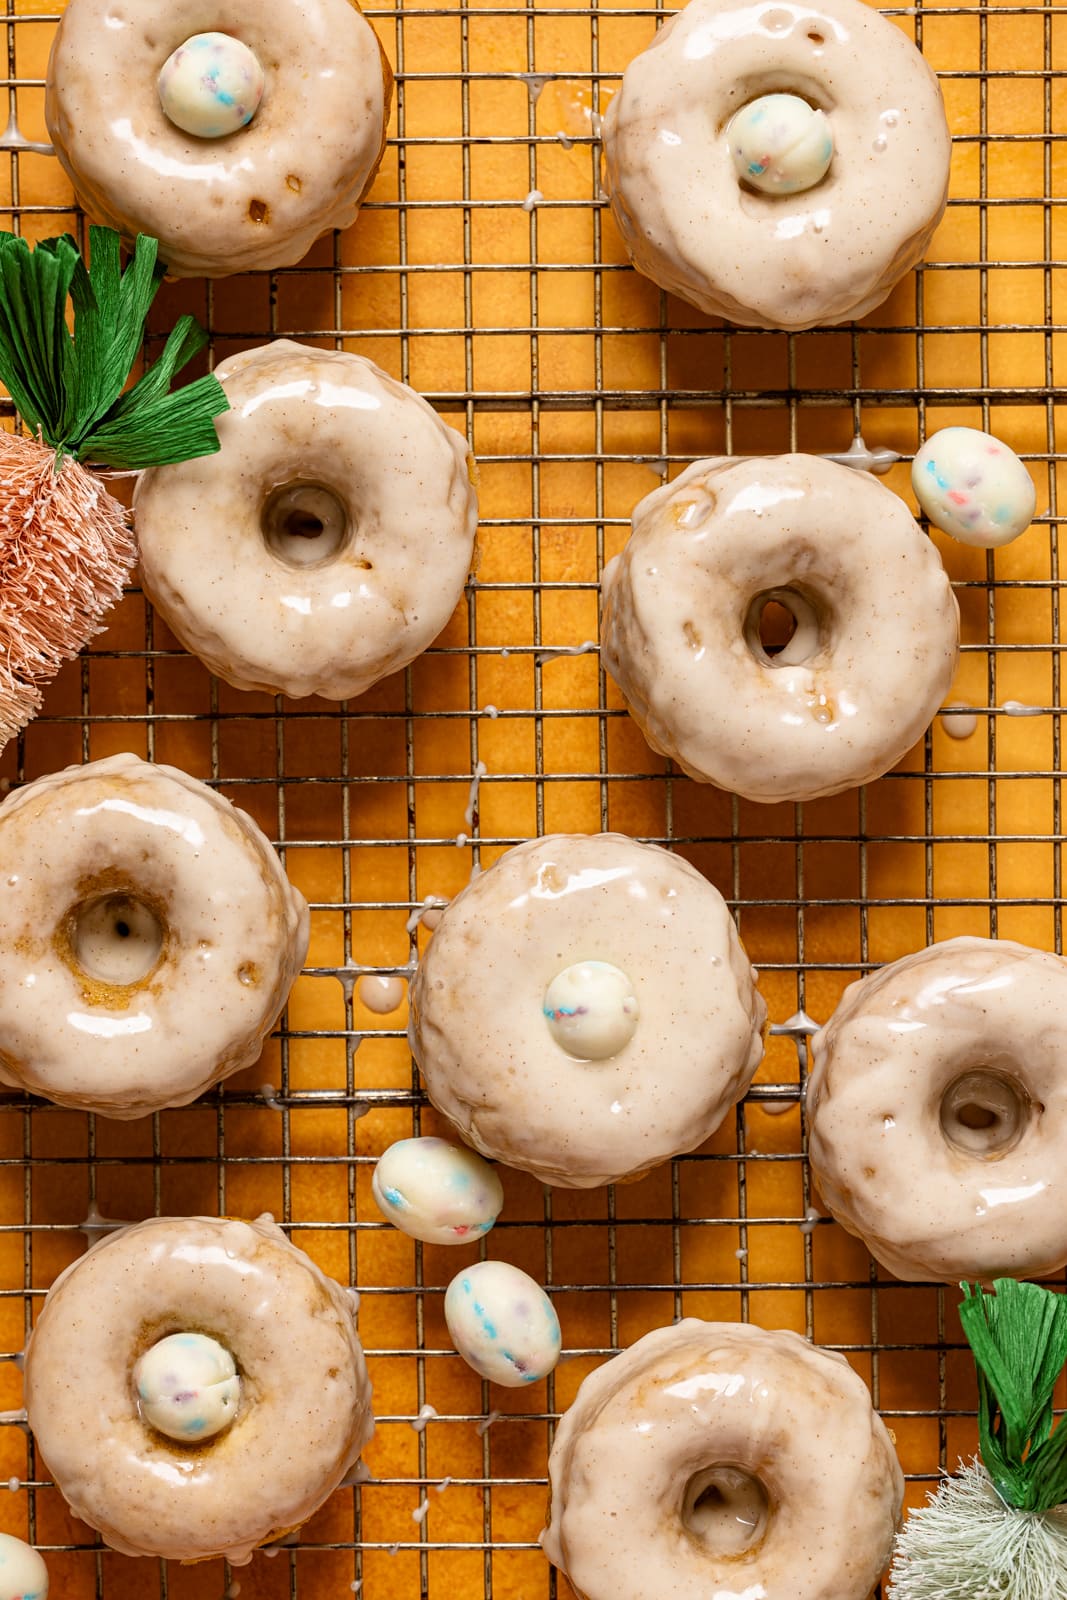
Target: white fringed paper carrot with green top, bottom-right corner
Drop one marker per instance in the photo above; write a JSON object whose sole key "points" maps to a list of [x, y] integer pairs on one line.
{"points": [[999, 1529]]}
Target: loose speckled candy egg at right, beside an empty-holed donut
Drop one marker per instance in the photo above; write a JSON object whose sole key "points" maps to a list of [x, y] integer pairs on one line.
{"points": [[973, 487]]}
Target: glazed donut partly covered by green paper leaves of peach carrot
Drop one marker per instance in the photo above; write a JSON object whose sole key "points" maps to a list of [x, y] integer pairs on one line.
{"points": [[327, 543]]}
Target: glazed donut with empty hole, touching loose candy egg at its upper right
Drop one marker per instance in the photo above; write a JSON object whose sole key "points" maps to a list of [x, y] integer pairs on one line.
{"points": [[876, 626]]}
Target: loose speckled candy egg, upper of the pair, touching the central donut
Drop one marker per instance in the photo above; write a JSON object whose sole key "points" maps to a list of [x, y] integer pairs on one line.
{"points": [[436, 1191]]}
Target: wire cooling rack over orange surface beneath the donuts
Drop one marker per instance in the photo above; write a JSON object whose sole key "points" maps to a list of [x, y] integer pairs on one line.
{"points": [[487, 273]]}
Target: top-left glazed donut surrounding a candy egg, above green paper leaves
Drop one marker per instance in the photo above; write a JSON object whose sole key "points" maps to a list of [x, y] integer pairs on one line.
{"points": [[257, 198]]}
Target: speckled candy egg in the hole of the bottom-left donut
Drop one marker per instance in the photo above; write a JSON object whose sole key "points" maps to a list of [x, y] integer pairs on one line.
{"points": [[188, 1386]]}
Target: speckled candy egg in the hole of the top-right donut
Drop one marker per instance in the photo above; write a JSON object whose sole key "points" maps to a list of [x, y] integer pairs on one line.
{"points": [[780, 145]]}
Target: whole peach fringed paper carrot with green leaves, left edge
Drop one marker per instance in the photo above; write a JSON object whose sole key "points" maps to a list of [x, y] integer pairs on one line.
{"points": [[66, 545]]}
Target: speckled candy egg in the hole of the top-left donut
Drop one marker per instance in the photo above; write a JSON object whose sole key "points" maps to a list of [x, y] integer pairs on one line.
{"points": [[210, 86]]}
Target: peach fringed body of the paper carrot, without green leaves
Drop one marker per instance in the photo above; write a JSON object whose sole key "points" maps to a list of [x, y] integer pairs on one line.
{"points": [[66, 551]]}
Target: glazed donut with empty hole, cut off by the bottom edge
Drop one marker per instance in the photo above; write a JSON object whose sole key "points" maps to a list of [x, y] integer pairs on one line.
{"points": [[721, 1460]]}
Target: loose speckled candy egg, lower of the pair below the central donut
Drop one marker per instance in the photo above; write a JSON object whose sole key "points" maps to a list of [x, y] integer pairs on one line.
{"points": [[503, 1324]]}
